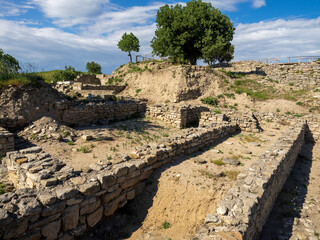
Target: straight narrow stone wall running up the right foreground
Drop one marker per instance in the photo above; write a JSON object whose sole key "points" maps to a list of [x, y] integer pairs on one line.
{"points": [[245, 208]]}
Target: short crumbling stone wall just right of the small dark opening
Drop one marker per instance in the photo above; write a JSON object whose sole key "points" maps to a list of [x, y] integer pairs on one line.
{"points": [[245, 120]]}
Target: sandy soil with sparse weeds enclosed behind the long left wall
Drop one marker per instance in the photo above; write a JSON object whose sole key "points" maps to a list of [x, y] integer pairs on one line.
{"points": [[108, 143]]}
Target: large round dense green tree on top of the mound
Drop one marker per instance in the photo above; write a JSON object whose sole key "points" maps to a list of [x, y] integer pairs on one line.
{"points": [[196, 31]]}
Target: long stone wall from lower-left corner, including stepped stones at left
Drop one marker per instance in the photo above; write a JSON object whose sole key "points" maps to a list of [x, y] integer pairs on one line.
{"points": [[67, 208]]}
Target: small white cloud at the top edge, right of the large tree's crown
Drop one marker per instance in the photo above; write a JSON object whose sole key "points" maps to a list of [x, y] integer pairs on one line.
{"points": [[231, 5]]}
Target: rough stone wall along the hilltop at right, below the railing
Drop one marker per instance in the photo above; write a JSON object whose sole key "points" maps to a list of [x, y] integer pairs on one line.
{"points": [[302, 75]]}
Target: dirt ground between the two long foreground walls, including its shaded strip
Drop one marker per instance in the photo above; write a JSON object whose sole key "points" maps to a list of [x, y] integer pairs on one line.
{"points": [[178, 197]]}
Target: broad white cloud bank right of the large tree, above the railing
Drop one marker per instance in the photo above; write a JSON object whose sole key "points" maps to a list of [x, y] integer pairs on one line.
{"points": [[279, 38]]}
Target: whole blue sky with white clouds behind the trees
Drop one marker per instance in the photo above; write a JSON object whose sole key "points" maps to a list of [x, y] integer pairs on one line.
{"points": [[50, 34]]}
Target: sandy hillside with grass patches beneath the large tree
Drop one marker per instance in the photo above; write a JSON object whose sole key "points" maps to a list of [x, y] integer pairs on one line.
{"points": [[236, 86]]}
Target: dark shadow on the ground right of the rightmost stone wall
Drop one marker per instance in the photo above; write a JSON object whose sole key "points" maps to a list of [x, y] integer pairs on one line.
{"points": [[290, 200]]}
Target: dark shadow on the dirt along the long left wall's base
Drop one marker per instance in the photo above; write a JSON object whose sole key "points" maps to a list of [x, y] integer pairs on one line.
{"points": [[129, 219]]}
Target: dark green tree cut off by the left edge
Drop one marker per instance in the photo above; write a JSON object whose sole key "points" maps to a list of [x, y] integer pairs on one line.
{"points": [[9, 66]]}
